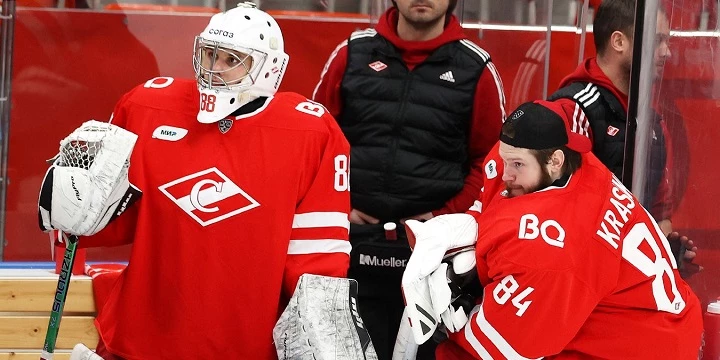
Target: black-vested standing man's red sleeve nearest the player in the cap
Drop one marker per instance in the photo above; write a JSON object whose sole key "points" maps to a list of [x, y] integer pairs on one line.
{"points": [[487, 118]]}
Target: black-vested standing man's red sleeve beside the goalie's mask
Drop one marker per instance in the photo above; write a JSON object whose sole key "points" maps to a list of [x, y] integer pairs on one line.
{"points": [[327, 91]]}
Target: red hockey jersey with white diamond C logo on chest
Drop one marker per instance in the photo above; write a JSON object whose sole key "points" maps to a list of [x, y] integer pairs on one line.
{"points": [[232, 214]]}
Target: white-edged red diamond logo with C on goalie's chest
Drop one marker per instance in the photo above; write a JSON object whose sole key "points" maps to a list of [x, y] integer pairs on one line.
{"points": [[208, 196]]}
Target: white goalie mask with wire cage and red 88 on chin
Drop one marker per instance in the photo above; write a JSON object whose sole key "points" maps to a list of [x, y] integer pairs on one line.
{"points": [[238, 57]]}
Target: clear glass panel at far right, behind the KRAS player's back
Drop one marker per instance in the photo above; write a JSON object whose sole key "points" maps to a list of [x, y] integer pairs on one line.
{"points": [[677, 177]]}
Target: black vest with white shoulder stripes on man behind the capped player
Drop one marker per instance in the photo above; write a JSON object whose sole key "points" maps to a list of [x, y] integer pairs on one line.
{"points": [[607, 119]]}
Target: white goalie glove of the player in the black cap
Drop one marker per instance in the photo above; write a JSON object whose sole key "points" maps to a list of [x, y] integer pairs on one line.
{"points": [[426, 291]]}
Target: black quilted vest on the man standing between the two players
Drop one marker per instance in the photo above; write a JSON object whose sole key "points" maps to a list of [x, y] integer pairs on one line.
{"points": [[408, 130]]}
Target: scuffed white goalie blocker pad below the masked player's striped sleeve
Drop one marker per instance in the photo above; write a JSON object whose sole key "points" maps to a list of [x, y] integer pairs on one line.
{"points": [[322, 322]]}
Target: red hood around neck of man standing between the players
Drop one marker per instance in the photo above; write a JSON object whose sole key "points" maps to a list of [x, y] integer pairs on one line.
{"points": [[387, 28]]}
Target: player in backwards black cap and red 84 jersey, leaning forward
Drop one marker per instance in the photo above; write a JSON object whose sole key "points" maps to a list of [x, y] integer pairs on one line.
{"points": [[573, 266]]}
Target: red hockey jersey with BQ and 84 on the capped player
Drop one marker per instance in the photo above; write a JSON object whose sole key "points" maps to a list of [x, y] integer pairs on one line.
{"points": [[575, 272]]}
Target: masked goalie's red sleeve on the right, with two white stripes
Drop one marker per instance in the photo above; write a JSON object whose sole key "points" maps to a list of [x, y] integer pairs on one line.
{"points": [[319, 238]]}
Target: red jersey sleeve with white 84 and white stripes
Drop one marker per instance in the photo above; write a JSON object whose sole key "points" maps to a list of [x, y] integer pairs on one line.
{"points": [[527, 301]]}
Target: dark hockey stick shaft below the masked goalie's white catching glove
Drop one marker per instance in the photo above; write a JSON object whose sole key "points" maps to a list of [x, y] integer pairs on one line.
{"points": [[60, 295]]}
